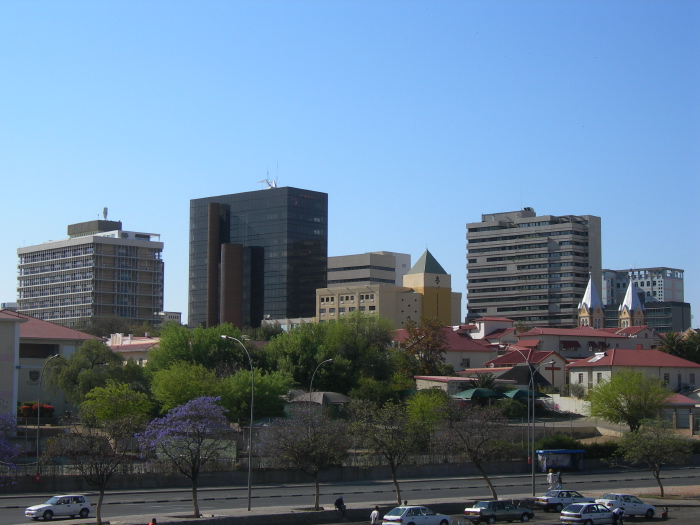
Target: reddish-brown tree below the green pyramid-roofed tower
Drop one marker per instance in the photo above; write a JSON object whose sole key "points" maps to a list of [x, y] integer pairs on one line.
{"points": [[425, 347]]}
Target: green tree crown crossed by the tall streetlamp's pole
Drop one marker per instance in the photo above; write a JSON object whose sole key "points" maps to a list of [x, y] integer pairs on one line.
{"points": [[268, 401]]}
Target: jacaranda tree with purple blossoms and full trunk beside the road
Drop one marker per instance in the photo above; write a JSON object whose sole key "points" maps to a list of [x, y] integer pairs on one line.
{"points": [[190, 436]]}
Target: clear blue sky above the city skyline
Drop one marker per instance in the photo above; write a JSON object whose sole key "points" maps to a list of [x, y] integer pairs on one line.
{"points": [[414, 116]]}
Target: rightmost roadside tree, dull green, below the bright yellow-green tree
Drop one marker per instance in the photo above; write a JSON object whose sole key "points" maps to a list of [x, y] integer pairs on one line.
{"points": [[655, 444]]}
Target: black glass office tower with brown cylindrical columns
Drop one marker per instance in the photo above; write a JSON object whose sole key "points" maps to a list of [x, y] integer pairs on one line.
{"points": [[257, 254]]}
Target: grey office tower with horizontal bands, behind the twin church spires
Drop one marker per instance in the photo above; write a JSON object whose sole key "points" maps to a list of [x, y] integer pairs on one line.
{"points": [[531, 269]]}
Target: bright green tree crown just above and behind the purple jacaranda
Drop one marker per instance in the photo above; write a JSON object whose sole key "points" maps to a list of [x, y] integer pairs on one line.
{"points": [[183, 382]]}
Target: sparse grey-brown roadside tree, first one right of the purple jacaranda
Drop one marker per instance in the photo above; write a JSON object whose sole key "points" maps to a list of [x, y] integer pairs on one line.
{"points": [[308, 441]]}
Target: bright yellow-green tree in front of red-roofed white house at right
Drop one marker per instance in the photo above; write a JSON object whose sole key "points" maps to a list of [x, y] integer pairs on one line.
{"points": [[629, 396]]}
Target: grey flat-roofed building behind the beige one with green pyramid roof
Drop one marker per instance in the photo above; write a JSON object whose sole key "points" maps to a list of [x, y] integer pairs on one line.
{"points": [[368, 268]]}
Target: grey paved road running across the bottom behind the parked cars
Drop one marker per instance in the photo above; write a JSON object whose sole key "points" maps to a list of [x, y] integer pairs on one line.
{"points": [[218, 501]]}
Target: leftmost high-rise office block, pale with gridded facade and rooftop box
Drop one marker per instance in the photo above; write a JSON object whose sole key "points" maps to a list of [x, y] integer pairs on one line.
{"points": [[99, 271]]}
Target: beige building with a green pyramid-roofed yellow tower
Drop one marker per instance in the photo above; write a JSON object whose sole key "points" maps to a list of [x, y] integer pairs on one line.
{"points": [[426, 292]]}
